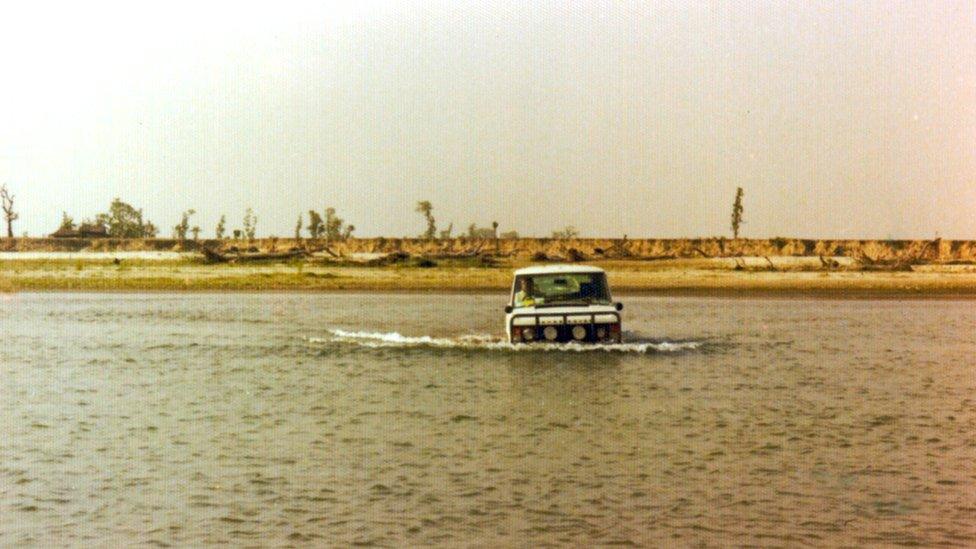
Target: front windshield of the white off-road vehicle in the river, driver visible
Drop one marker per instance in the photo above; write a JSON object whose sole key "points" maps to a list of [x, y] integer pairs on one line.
{"points": [[560, 289]]}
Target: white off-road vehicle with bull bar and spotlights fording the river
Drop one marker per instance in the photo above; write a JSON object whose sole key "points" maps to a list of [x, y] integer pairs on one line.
{"points": [[562, 303]]}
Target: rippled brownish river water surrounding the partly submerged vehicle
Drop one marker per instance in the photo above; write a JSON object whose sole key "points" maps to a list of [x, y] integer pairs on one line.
{"points": [[393, 420]]}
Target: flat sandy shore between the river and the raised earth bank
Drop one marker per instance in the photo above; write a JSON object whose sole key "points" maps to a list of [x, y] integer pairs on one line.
{"points": [[792, 276]]}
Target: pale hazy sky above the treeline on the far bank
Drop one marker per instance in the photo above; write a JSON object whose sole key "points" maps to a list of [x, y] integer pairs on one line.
{"points": [[840, 119]]}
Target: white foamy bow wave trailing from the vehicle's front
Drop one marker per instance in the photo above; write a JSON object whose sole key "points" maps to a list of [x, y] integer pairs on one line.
{"points": [[486, 342]]}
